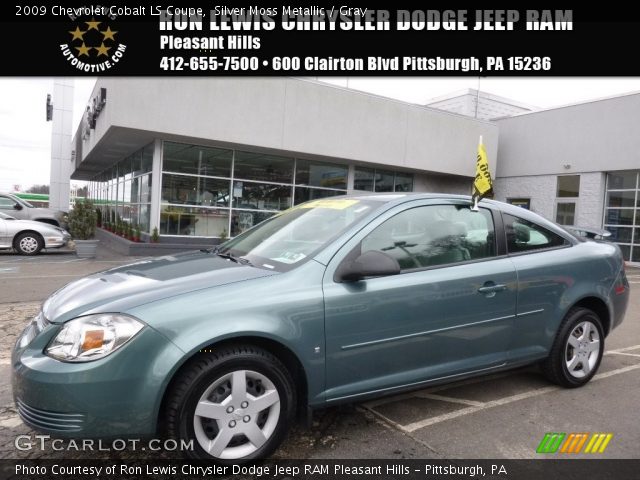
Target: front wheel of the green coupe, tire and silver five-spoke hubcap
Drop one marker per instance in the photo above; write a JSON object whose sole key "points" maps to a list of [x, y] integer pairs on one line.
{"points": [[229, 430]]}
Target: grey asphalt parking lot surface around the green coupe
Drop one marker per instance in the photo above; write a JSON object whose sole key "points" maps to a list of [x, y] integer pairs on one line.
{"points": [[495, 417]]}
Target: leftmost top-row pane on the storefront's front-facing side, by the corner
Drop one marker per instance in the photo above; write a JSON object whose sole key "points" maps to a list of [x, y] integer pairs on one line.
{"points": [[196, 160]]}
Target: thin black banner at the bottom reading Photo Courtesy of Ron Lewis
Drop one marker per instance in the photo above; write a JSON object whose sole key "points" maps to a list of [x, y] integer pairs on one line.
{"points": [[321, 469]]}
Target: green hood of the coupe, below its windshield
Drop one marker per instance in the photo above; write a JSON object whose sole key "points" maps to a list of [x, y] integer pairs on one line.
{"points": [[128, 286]]}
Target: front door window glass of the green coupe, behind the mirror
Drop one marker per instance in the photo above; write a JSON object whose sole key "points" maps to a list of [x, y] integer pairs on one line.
{"points": [[434, 235]]}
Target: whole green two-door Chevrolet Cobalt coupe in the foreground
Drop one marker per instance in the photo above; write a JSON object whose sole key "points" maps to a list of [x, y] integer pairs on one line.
{"points": [[334, 300]]}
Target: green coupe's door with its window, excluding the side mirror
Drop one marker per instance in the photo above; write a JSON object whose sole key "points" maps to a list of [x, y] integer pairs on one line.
{"points": [[450, 311]]}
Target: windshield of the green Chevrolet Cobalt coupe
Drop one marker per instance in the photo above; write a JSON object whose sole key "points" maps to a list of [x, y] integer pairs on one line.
{"points": [[287, 239]]}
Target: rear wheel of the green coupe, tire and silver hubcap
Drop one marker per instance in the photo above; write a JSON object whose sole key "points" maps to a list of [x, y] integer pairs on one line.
{"points": [[577, 350]]}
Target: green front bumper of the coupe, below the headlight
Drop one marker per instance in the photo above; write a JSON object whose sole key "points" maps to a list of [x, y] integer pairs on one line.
{"points": [[116, 396]]}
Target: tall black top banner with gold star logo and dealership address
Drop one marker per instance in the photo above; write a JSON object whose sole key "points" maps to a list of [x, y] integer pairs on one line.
{"points": [[282, 39]]}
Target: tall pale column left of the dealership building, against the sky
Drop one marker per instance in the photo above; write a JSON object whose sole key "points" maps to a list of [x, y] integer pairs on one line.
{"points": [[61, 161]]}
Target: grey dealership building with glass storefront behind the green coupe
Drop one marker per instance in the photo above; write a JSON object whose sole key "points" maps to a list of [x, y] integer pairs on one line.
{"points": [[200, 159]]}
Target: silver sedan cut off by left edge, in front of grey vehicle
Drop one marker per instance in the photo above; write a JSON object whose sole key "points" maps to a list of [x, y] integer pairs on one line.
{"points": [[28, 237]]}
